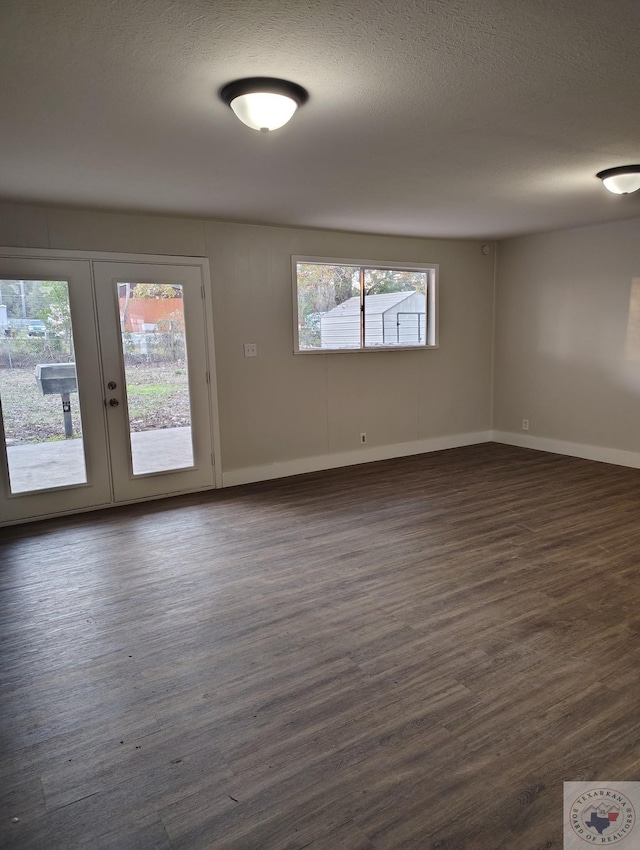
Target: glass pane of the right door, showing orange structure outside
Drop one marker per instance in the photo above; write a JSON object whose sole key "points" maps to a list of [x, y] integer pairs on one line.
{"points": [[154, 353]]}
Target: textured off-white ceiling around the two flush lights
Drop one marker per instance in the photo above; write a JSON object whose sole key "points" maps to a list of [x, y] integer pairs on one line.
{"points": [[481, 118]]}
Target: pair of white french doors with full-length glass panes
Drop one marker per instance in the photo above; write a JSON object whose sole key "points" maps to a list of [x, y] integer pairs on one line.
{"points": [[105, 382]]}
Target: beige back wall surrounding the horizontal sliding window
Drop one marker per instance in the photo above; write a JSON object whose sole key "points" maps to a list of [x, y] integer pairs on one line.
{"points": [[280, 412]]}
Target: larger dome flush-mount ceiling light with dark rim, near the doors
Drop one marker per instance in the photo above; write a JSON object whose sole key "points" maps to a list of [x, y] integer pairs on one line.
{"points": [[263, 103]]}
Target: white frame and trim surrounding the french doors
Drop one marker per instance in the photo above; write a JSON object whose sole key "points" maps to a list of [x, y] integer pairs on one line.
{"points": [[202, 263]]}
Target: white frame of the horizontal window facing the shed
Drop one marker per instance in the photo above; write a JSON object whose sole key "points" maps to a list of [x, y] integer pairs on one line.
{"points": [[431, 337]]}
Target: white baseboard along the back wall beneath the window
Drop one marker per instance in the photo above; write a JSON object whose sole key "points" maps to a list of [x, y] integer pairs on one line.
{"points": [[250, 474]]}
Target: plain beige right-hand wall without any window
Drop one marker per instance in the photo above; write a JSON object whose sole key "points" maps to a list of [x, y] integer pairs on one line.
{"points": [[565, 356]]}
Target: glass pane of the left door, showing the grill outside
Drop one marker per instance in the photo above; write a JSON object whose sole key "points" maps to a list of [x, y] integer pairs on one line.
{"points": [[39, 387]]}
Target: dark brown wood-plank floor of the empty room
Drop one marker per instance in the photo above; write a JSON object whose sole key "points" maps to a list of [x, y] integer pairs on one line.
{"points": [[408, 655]]}
